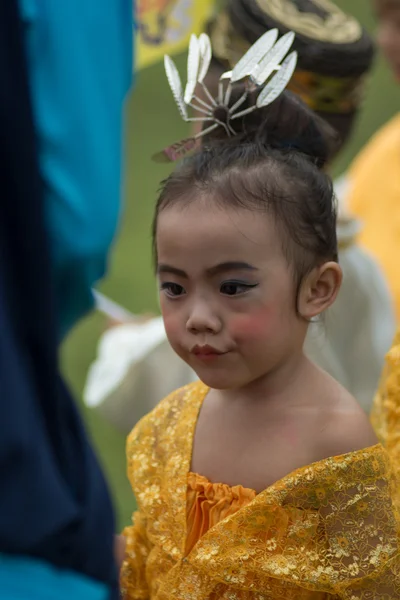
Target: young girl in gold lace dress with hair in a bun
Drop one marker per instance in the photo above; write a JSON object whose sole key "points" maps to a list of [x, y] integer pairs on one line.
{"points": [[263, 480]]}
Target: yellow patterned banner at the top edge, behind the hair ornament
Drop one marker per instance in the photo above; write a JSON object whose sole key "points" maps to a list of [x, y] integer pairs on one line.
{"points": [[164, 27]]}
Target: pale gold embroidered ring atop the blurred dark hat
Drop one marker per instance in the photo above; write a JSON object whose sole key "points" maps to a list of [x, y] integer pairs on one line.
{"points": [[336, 28]]}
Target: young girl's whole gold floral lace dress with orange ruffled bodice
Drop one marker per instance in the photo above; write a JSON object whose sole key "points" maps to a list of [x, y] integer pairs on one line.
{"points": [[327, 530]]}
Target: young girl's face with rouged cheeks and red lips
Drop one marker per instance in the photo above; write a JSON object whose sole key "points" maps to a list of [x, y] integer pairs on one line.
{"points": [[227, 293]]}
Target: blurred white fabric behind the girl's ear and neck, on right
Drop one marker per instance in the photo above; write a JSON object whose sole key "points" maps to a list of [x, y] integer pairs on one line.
{"points": [[354, 335]]}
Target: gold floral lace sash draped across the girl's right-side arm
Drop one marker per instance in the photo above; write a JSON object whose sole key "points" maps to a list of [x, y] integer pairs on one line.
{"points": [[330, 528]]}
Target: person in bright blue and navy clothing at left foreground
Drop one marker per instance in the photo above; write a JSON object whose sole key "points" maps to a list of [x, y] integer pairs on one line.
{"points": [[61, 113]]}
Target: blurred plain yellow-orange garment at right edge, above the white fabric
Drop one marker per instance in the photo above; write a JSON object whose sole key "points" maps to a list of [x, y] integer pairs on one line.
{"points": [[374, 197]]}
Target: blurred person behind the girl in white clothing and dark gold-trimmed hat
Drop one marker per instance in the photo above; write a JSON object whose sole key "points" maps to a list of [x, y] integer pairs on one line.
{"points": [[135, 366]]}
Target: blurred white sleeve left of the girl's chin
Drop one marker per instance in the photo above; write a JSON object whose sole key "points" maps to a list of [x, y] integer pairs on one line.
{"points": [[134, 370]]}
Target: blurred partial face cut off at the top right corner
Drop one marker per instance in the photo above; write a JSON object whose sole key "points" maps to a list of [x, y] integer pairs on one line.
{"points": [[388, 13]]}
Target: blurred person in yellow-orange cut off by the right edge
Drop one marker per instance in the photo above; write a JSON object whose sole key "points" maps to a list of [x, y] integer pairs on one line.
{"points": [[374, 176]]}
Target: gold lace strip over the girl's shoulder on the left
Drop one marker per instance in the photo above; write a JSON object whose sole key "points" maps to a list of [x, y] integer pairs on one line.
{"points": [[157, 453]]}
